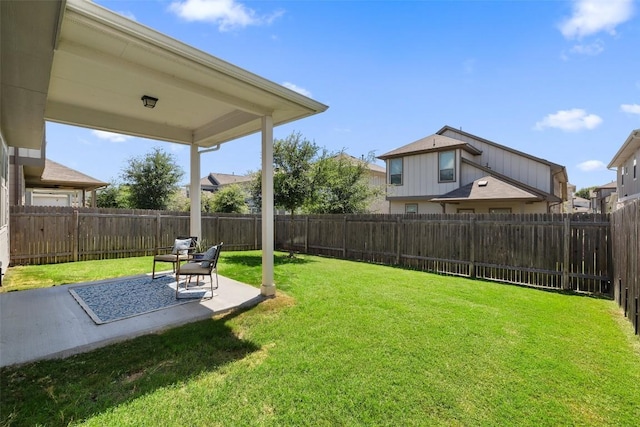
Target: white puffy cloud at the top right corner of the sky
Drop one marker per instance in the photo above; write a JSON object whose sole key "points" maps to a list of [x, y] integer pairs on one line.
{"points": [[592, 16]]}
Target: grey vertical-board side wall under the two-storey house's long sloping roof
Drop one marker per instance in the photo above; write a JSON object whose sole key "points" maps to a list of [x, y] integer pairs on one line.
{"points": [[521, 168]]}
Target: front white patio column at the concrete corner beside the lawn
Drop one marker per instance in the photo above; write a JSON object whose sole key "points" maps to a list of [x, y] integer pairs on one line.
{"points": [[268, 288]]}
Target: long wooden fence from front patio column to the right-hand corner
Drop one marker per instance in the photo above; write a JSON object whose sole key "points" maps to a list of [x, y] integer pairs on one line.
{"points": [[570, 252]]}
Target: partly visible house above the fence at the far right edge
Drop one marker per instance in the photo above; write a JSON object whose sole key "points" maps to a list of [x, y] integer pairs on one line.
{"points": [[626, 162]]}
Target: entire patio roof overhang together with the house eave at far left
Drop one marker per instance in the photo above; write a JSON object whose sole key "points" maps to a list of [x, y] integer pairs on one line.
{"points": [[77, 63]]}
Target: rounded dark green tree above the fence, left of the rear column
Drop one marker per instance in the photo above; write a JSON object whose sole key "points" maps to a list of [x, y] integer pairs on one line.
{"points": [[152, 179]]}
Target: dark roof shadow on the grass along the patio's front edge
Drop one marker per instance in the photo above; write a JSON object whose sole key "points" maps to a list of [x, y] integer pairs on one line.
{"points": [[66, 391]]}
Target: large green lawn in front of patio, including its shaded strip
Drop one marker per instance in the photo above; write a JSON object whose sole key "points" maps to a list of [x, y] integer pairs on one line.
{"points": [[353, 344]]}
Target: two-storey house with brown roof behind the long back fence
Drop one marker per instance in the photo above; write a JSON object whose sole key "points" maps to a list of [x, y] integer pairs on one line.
{"points": [[456, 172]]}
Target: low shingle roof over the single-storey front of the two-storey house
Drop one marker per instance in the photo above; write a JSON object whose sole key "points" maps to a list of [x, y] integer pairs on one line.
{"points": [[487, 188]]}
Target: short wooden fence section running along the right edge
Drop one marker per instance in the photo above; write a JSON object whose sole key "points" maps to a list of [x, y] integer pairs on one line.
{"points": [[625, 225]]}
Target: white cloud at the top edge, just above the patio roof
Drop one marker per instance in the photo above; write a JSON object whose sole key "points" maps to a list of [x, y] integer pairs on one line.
{"points": [[227, 14]]}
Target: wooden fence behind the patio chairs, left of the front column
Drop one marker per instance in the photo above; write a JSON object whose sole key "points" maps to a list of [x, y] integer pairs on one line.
{"points": [[45, 235]]}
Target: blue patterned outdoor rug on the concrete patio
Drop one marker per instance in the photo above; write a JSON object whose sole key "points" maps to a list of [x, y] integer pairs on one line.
{"points": [[120, 299]]}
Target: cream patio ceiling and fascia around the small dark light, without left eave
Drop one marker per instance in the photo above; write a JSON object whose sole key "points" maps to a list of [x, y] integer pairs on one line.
{"points": [[104, 63]]}
